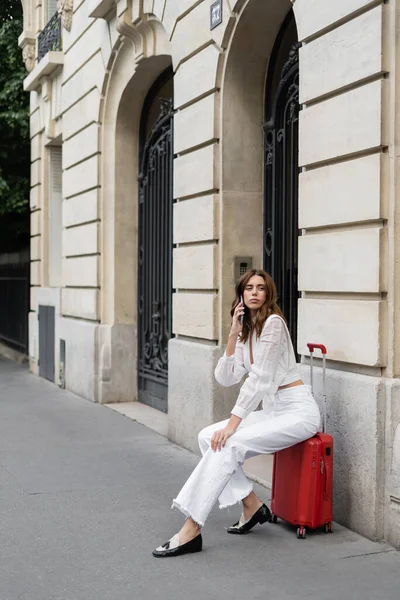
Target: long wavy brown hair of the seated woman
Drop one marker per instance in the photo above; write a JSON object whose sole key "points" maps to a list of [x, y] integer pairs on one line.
{"points": [[270, 306]]}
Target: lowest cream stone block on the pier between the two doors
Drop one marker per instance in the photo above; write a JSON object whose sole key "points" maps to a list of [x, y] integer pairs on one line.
{"points": [[194, 315]]}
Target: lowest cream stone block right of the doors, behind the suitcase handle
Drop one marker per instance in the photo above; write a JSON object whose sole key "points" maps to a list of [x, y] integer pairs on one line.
{"points": [[353, 330]]}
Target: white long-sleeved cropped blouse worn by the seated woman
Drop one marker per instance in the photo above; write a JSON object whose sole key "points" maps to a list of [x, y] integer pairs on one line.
{"points": [[274, 365]]}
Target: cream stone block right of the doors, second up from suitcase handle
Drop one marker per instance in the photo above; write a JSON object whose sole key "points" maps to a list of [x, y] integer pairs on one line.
{"points": [[345, 261]]}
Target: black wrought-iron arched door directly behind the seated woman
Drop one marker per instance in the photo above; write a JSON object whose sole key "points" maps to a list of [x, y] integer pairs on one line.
{"points": [[281, 169]]}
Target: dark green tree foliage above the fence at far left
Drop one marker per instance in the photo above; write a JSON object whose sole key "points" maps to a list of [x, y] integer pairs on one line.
{"points": [[14, 128]]}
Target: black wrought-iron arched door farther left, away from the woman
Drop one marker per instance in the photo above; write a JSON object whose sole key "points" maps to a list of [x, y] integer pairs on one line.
{"points": [[155, 242]]}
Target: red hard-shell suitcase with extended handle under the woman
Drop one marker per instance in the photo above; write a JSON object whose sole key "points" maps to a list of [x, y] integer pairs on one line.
{"points": [[303, 476]]}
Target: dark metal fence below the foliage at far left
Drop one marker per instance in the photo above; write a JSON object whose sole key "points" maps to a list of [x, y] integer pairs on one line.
{"points": [[14, 299]]}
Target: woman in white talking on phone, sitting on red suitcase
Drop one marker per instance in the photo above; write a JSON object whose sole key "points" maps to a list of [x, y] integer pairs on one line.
{"points": [[261, 347]]}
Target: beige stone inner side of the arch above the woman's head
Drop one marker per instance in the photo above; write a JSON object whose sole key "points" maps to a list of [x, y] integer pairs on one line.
{"points": [[243, 89]]}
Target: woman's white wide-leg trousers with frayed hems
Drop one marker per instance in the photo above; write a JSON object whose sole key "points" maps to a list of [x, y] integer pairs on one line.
{"points": [[295, 417]]}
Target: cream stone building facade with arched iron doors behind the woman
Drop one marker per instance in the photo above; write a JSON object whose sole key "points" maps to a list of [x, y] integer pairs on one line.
{"points": [[174, 105]]}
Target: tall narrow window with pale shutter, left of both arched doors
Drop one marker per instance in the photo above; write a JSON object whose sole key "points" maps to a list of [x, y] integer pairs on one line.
{"points": [[55, 216]]}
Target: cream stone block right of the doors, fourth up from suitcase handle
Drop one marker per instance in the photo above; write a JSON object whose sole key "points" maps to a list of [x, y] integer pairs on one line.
{"points": [[348, 123]]}
